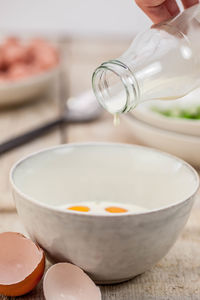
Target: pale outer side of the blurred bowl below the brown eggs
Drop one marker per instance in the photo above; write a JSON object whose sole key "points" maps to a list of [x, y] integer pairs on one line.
{"points": [[24, 90]]}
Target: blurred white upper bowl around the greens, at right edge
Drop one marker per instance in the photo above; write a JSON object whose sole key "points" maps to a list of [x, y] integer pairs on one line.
{"points": [[187, 126]]}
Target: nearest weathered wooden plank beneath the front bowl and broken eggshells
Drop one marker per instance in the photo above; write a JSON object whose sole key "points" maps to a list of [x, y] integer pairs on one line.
{"points": [[175, 277]]}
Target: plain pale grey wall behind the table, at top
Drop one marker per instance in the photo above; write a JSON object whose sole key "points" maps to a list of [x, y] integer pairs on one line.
{"points": [[105, 18]]}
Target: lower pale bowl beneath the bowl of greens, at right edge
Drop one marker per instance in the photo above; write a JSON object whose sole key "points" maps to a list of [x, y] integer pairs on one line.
{"points": [[184, 146]]}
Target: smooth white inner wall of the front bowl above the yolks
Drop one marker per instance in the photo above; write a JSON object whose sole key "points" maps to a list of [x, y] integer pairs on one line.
{"points": [[104, 172]]}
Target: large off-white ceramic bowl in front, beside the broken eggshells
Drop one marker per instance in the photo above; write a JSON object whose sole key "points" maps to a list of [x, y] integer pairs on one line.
{"points": [[110, 248]]}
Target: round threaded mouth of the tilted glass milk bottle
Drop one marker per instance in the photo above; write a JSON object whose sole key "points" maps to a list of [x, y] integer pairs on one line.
{"points": [[115, 87]]}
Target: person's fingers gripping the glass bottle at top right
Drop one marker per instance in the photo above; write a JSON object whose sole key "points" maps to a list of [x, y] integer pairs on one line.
{"points": [[161, 10]]}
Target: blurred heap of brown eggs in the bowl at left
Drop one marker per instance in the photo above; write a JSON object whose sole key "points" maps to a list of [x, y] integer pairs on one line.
{"points": [[19, 60]]}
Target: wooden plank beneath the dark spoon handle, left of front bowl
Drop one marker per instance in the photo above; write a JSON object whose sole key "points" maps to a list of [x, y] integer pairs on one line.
{"points": [[15, 122]]}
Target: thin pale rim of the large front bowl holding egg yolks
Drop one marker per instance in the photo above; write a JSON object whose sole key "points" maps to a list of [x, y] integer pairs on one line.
{"points": [[33, 201]]}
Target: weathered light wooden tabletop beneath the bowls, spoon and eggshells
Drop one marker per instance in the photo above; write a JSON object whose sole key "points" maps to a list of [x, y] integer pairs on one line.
{"points": [[177, 276]]}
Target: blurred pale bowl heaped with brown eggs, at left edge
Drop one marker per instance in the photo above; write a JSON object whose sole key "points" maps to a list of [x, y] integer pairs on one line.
{"points": [[27, 69]]}
